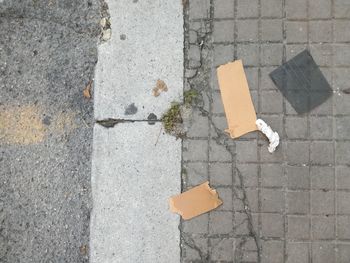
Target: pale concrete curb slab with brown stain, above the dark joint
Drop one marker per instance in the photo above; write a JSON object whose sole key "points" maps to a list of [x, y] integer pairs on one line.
{"points": [[146, 45]]}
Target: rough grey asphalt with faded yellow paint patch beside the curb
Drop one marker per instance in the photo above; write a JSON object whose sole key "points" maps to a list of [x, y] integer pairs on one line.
{"points": [[48, 51]]}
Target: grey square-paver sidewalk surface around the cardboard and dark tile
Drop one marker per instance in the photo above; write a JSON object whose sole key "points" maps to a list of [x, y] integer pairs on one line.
{"points": [[292, 205]]}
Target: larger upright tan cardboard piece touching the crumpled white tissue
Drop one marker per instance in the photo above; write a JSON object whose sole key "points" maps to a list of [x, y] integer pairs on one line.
{"points": [[238, 105]]}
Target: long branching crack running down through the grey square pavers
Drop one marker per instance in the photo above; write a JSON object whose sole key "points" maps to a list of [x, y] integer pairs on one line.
{"points": [[199, 81]]}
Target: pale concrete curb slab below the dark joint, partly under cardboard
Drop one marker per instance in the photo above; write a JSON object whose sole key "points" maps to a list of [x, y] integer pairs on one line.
{"points": [[135, 170]]}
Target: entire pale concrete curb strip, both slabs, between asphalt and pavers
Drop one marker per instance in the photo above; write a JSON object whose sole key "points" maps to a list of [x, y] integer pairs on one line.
{"points": [[136, 167]]}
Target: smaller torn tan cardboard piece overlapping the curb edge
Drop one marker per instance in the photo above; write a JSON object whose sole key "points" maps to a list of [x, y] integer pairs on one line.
{"points": [[195, 202]]}
